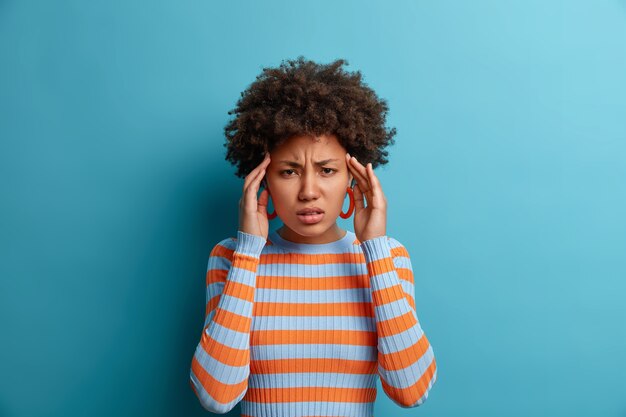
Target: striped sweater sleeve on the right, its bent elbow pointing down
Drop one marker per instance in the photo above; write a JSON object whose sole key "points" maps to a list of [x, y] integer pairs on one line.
{"points": [[406, 363]]}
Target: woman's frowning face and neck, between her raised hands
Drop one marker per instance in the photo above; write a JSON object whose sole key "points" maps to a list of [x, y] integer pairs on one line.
{"points": [[309, 172]]}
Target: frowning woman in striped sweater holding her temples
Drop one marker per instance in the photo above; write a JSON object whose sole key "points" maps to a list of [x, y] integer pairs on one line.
{"points": [[301, 321]]}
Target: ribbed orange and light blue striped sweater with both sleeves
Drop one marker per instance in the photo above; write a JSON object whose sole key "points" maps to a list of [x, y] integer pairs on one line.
{"points": [[294, 329]]}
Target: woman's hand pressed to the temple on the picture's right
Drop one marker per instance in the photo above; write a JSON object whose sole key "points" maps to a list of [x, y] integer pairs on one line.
{"points": [[370, 221]]}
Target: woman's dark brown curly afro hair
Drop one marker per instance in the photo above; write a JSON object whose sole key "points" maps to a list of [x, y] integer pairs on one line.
{"points": [[302, 97]]}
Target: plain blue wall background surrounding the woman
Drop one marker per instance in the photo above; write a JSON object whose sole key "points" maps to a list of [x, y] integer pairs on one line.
{"points": [[506, 184]]}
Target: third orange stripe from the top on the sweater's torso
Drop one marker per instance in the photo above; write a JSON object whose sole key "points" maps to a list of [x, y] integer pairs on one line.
{"points": [[313, 310]]}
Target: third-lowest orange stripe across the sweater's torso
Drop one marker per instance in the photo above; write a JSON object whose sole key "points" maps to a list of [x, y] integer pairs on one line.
{"points": [[341, 337]]}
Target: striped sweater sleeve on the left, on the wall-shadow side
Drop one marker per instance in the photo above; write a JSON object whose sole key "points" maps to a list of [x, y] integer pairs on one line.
{"points": [[221, 363]]}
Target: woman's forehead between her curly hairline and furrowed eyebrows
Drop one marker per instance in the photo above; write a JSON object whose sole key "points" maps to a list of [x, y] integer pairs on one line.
{"points": [[303, 146]]}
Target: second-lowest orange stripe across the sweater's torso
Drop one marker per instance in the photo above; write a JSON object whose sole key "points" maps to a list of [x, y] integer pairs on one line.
{"points": [[293, 365]]}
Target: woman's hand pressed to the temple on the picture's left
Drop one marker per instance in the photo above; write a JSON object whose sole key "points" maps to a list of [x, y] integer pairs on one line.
{"points": [[253, 212]]}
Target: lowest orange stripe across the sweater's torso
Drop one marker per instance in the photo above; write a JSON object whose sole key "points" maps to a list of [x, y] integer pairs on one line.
{"points": [[298, 394]]}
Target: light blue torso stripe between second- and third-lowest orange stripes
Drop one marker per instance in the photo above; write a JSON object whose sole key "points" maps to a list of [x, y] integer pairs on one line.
{"points": [[326, 351]]}
